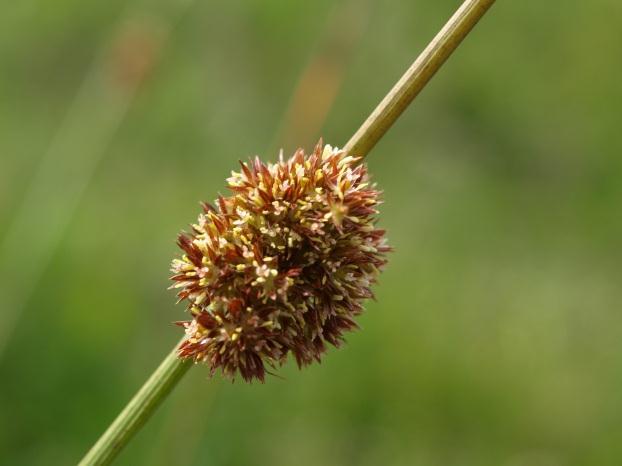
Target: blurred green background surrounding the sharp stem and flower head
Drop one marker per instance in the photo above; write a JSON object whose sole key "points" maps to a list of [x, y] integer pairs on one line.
{"points": [[495, 338]]}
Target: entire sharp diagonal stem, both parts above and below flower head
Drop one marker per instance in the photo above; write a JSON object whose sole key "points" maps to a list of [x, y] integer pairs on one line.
{"points": [[172, 369]]}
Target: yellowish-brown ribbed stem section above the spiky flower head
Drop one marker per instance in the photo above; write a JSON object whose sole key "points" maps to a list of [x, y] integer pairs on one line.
{"points": [[417, 76]]}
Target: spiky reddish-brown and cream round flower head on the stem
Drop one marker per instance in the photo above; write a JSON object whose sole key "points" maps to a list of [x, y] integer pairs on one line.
{"points": [[282, 265]]}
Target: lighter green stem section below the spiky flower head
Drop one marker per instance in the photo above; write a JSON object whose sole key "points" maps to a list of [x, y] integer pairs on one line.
{"points": [[138, 410]]}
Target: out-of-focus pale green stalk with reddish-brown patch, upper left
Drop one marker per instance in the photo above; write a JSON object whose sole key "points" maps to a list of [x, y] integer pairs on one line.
{"points": [[66, 169]]}
